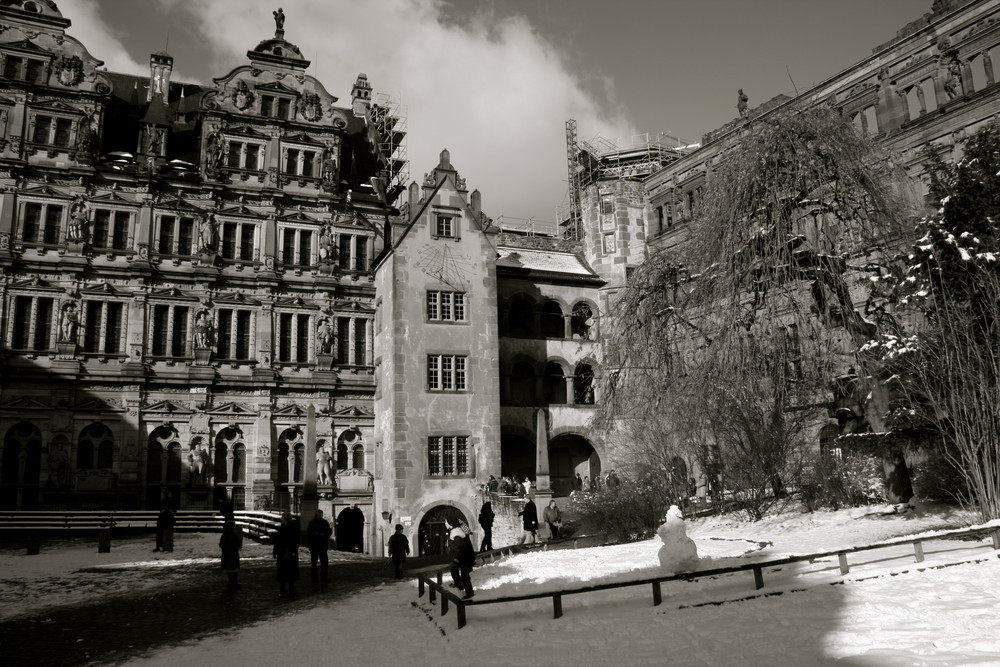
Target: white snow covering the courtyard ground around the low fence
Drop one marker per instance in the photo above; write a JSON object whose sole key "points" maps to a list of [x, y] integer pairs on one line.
{"points": [[889, 610]]}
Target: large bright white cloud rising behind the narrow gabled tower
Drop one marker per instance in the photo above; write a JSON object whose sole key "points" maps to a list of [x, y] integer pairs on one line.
{"points": [[491, 91]]}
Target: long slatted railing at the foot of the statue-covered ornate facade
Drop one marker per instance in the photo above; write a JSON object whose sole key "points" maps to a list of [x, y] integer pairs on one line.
{"points": [[258, 525]]}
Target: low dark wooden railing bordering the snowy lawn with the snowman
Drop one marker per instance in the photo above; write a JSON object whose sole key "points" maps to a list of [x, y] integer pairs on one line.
{"points": [[435, 585]]}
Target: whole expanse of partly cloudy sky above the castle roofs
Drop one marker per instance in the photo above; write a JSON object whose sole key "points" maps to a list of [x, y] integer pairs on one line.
{"points": [[494, 81]]}
